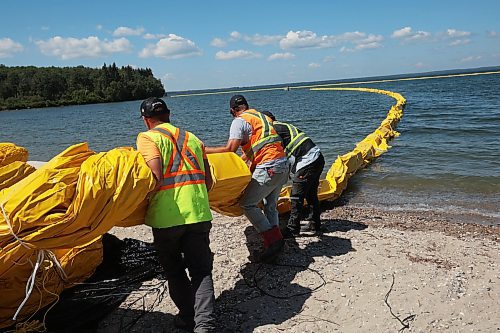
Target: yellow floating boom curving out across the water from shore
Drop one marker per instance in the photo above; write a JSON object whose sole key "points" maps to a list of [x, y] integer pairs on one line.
{"points": [[372, 146]]}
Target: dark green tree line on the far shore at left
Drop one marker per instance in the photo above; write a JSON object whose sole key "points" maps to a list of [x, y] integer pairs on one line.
{"points": [[33, 87]]}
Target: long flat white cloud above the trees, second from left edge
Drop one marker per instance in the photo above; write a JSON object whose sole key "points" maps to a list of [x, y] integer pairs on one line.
{"points": [[70, 48]]}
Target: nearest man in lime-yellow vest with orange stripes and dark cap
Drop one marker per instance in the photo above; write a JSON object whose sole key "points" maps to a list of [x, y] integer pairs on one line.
{"points": [[179, 214]]}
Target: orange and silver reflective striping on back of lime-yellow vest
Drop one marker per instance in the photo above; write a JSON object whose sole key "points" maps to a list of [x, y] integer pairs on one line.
{"points": [[174, 176]]}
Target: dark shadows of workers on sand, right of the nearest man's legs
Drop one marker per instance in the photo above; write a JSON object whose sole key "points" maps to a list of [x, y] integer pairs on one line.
{"points": [[267, 294]]}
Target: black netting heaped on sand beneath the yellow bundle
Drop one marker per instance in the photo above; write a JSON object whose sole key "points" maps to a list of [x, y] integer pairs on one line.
{"points": [[126, 264]]}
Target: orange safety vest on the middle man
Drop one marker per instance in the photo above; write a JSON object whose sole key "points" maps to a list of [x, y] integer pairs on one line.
{"points": [[264, 144]]}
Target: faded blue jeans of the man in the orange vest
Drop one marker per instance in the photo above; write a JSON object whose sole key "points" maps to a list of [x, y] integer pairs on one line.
{"points": [[265, 186]]}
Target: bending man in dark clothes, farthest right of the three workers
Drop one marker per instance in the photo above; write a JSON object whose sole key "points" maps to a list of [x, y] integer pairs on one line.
{"points": [[307, 165]]}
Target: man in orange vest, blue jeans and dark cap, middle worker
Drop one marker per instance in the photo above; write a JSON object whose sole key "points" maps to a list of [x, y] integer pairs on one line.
{"points": [[261, 144]]}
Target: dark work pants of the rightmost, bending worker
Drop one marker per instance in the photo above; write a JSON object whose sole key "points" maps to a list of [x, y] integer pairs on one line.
{"points": [[305, 183]]}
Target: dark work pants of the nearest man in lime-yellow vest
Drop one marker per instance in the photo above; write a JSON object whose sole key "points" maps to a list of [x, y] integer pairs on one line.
{"points": [[188, 246]]}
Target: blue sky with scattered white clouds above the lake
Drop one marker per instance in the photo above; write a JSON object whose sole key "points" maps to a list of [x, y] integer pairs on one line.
{"points": [[220, 44]]}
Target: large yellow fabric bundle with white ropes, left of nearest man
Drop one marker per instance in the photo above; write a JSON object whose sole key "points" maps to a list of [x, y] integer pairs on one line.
{"points": [[51, 223]]}
